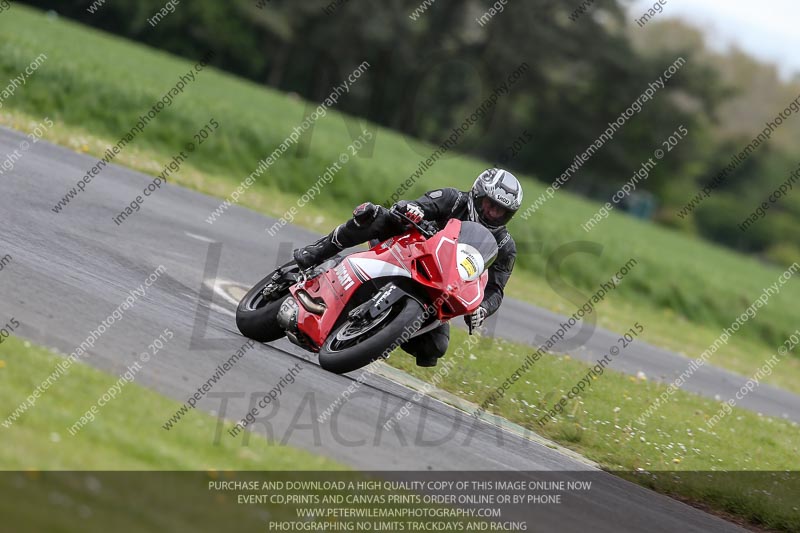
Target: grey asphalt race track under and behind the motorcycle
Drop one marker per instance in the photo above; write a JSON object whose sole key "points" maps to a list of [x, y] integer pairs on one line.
{"points": [[71, 270]]}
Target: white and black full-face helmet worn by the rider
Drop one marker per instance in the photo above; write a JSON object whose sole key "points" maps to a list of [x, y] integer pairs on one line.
{"points": [[495, 197]]}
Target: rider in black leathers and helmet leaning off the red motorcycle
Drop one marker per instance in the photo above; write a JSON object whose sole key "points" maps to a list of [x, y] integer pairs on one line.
{"points": [[494, 198]]}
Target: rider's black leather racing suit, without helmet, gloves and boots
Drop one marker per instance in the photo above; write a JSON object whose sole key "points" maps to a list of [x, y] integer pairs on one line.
{"points": [[439, 206]]}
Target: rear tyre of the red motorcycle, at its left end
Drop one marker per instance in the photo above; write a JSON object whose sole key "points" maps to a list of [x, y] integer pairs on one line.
{"points": [[257, 315]]}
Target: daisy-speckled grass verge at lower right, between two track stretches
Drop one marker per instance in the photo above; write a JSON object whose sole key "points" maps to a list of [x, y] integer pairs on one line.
{"points": [[737, 466]]}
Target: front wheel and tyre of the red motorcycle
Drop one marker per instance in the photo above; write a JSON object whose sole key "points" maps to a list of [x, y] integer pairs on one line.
{"points": [[354, 344]]}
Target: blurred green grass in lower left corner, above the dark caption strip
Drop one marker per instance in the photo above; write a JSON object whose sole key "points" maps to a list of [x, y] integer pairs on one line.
{"points": [[127, 433]]}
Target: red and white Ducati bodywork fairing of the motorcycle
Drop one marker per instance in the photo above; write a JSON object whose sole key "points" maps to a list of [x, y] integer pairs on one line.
{"points": [[431, 263]]}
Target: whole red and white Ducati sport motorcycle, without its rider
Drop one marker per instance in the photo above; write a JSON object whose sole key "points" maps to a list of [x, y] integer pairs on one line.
{"points": [[354, 309]]}
